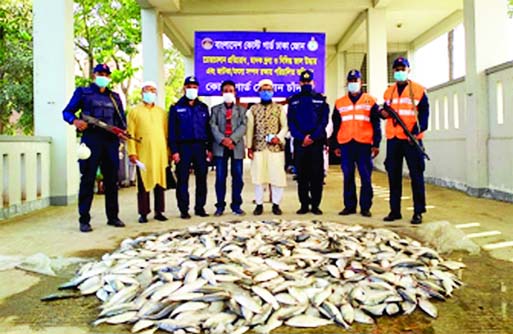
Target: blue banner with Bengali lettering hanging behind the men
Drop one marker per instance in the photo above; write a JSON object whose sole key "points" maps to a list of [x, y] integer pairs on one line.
{"points": [[248, 57]]}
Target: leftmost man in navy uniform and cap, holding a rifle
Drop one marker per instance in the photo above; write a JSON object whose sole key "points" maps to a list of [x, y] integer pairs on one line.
{"points": [[99, 102]]}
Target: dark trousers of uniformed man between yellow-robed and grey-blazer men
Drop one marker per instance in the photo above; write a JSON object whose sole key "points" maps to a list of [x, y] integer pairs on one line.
{"points": [[191, 154]]}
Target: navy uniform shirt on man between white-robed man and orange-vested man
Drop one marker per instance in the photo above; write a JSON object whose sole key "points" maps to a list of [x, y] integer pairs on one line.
{"points": [[308, 114]]}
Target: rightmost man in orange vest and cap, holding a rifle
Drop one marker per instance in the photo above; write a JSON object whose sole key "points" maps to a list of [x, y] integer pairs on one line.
{"points": [[410, 101]]}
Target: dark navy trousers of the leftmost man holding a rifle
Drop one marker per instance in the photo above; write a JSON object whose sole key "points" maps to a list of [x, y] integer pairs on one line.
{"points": [[105, 154]]}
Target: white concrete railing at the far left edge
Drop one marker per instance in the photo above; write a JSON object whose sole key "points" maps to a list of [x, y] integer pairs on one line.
{"points": [[25, 174]]}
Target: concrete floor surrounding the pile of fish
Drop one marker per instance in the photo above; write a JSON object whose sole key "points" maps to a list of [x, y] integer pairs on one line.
{"points": [[483, 305]]}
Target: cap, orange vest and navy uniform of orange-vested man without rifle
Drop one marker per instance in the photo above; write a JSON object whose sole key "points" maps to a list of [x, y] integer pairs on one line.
{"points": [[356, 129]]}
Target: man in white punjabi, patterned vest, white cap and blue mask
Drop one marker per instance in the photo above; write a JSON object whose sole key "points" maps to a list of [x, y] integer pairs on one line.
{"points": [[265, 139]]}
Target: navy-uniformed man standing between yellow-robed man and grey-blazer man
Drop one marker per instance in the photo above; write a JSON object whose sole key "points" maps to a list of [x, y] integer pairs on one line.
{"points": [[190, 142]]}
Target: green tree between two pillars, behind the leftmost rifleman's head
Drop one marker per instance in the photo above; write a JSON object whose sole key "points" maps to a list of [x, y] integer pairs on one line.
{"points": [[107, 31]]}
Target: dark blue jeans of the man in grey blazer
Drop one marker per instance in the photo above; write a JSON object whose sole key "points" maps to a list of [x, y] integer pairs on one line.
{"points": [[221, 164]]}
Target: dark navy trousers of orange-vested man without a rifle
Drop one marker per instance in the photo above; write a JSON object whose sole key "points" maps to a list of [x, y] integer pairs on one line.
{"points": [[357, 155]]}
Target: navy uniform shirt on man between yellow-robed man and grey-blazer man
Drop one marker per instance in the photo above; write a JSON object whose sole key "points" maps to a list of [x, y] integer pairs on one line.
{"points": [[189, 124]]}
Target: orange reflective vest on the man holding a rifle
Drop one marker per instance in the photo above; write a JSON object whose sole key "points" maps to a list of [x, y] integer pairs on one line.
{"points": [[405, 107]]}
